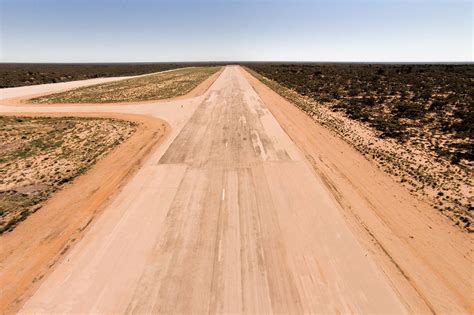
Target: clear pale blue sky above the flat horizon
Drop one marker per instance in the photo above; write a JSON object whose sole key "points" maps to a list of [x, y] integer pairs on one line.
{"points": [[224, 30]]}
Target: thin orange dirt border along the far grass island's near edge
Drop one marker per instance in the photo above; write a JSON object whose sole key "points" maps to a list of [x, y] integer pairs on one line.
{"points": [[199, 90]]}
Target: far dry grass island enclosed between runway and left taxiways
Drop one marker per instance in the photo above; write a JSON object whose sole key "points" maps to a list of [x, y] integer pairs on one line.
{"points": [[151, 87]]}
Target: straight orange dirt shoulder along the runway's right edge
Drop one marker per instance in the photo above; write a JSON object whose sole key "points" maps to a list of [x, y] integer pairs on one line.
{"points": [[428, 259]]}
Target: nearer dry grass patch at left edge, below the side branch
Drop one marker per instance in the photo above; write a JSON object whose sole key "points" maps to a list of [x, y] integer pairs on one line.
{"points": [[38, 155]]}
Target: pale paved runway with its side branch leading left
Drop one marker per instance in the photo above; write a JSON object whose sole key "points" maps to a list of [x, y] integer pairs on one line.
{"points": [[226, 216]]}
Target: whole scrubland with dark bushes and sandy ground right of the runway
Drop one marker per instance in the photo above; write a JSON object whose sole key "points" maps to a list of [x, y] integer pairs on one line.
{"points": [[416, 122]]}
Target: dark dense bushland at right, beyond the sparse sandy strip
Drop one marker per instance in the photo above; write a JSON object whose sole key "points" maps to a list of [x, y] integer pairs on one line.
{"points": [[433, 102]]}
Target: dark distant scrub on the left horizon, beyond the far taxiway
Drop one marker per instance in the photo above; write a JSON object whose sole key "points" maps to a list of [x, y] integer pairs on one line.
{"points": [[16, 74]]}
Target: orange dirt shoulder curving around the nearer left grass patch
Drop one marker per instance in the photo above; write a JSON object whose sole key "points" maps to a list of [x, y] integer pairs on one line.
{"points": [[30, 251]]}
